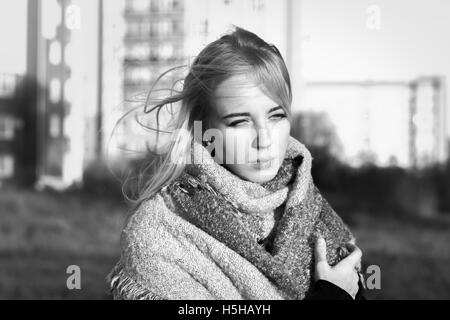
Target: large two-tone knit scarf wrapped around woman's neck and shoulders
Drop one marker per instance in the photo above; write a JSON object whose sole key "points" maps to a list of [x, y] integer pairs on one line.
{"points": [[212, 235]]}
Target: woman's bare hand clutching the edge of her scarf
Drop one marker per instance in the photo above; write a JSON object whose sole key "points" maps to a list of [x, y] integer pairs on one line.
{"points": [[343, 274]]}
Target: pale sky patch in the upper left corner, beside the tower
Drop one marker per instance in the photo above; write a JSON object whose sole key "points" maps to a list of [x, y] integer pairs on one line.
{"points": [[13, 18]]}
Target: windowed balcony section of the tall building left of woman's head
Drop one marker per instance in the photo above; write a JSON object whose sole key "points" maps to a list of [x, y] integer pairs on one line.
{"points": [[154, 42]]}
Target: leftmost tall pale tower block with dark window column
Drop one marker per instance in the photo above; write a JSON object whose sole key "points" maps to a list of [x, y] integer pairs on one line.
{"points": [[63, 59]]}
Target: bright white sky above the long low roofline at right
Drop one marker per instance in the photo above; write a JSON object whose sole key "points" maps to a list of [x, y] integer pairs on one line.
{"points": [[413, 39]]}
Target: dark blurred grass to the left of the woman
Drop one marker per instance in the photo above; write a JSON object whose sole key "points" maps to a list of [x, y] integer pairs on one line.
{"points": [[41, 234]]}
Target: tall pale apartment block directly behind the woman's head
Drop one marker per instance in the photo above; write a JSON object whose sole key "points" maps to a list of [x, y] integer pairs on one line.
{"points": [[163, 34]]}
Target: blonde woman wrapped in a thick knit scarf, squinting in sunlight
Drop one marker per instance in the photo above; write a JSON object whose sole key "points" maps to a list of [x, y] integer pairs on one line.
{"points": [[240, 216]]}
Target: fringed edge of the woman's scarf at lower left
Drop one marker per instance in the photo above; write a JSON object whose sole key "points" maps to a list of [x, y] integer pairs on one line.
{"points": [[123, 287]]}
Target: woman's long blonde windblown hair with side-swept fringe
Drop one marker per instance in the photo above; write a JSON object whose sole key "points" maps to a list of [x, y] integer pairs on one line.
{"points": [[237, 53]]}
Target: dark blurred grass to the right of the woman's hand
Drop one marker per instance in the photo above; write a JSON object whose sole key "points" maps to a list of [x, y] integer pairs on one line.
{"points": [[413, 255]]}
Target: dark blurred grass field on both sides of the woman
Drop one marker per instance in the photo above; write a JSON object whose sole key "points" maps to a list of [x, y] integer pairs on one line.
{"points": [[42, 233]]}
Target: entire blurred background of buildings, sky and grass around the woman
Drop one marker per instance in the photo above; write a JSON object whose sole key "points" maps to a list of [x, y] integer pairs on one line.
{"points": [[370, 80]]}
